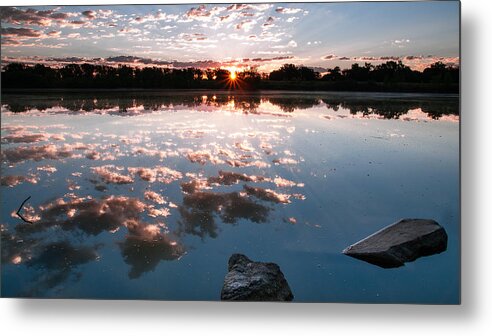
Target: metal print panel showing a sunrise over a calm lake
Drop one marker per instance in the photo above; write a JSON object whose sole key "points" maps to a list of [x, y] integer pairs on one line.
{"points": [[304, 152]]}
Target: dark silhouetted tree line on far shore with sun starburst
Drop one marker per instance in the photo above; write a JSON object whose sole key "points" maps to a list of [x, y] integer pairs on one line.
{"points": [[18, 75]]}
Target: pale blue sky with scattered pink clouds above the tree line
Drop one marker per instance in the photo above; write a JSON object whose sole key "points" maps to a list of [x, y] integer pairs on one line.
{"points": [[263, 36]]}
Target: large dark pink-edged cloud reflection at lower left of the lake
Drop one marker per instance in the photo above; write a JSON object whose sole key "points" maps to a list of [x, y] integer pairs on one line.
{"points": [[142, 248]]}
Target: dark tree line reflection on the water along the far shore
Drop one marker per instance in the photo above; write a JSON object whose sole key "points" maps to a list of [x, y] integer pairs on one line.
{"points": [[131, 103]]}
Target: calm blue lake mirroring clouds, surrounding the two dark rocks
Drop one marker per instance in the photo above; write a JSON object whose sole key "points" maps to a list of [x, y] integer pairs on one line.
{"points": [[145, 195]]}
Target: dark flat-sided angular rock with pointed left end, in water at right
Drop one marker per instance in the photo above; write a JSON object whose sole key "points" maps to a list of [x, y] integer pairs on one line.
{"points": [[401, 242]]}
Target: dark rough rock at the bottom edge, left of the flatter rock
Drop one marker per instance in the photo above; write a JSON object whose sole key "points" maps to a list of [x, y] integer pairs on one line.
{"points": [[254, 281]]}
